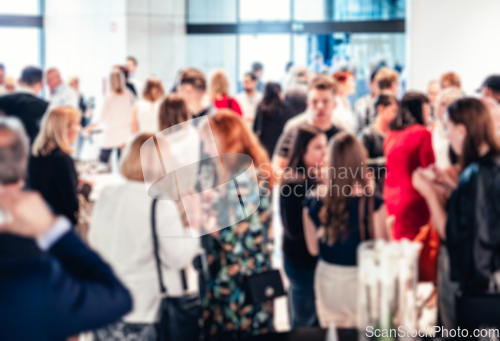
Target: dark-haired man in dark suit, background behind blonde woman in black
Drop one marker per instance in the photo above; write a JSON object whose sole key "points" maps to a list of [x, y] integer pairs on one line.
{"points": [[24, 104]]}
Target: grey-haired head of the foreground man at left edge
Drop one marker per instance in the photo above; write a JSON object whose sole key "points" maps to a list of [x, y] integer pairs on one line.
{"points": [[14, 152]]}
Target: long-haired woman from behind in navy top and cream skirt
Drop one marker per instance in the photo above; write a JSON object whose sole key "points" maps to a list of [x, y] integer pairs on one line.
{"points": [[340, 215]]}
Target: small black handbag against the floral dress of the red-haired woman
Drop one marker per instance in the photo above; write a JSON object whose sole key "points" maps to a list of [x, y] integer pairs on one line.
{"points": [[263, 287]]}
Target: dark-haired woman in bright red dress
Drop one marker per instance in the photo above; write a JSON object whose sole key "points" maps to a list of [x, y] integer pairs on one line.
{"points": [[407, 147]]}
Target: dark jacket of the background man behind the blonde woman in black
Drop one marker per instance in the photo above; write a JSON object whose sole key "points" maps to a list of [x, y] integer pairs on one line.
{"points": [[28, 108]]}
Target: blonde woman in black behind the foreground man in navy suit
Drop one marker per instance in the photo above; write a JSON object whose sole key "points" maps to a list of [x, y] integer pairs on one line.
{"points": [[51, 168]]}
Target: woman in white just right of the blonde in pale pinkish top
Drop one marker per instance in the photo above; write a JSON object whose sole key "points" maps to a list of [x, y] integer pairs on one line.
{"points": [[145, 116]]}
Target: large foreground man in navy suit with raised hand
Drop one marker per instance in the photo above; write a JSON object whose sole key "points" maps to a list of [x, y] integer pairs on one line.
{"points": [[66, 288]]}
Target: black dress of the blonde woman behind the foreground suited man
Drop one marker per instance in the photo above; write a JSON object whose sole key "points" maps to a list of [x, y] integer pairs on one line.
{"points": [[54, 176]]}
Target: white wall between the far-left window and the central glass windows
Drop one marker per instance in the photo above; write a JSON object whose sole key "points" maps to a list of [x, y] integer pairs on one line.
{"points": [[87, 37]]}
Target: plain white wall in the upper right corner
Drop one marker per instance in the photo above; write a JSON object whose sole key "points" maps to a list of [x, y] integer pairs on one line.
{"points": [[452, 35]]}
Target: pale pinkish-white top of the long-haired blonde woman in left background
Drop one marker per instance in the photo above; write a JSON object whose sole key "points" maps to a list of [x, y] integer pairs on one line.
{"points": [[116, 119]]}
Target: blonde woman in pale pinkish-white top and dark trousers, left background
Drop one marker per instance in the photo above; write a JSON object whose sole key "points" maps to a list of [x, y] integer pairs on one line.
{"points": [[116, 116]]}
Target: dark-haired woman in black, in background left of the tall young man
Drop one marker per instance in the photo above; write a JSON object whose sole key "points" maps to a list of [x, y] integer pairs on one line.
{"points": [[272, 114]]}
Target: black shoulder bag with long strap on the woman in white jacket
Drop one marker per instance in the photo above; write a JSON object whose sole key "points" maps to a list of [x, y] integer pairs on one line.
{"points": [[179, 317]]}
